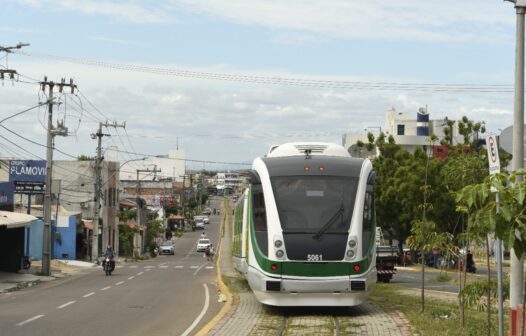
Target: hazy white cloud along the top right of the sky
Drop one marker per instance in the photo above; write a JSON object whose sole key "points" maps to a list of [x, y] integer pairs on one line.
{"points": [[408, 20]]}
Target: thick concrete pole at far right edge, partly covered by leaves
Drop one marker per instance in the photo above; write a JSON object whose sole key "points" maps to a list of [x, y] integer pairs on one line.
{"points": [[517, 264]]}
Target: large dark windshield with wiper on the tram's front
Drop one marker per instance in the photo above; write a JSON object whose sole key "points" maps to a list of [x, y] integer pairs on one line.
{"points": [[315, 204]]}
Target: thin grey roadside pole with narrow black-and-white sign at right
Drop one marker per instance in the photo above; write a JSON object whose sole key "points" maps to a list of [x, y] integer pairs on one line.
{"points": [[494, 168]]}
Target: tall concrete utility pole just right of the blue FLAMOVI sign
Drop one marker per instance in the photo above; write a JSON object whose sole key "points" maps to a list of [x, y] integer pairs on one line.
{"points": [[51, 133]]}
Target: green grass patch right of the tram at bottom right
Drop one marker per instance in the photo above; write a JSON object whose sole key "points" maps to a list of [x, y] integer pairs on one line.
{"points": [[439, 318]]}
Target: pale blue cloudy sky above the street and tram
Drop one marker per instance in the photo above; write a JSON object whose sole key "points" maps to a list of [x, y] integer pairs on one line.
{"points": [[226, 79]]}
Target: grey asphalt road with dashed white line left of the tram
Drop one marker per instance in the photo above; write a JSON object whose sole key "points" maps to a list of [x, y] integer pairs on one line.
{"points": [[167, 295]]}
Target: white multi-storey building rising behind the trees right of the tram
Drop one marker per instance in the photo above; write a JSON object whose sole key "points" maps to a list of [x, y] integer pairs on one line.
{"points": [[409, 131]]}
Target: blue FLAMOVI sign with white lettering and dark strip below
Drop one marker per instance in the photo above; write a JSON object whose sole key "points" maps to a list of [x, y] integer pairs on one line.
{"points": [[28, 176]]}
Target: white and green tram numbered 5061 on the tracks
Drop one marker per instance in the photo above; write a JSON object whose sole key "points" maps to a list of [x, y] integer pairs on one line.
{"points": [[304, 230]]}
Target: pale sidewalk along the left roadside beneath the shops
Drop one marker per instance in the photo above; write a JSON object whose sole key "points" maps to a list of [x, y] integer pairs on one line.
{"points": [[10, 281]]}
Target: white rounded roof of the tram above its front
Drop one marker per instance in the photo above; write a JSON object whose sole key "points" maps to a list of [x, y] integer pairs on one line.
{"points": [[307, 148]]}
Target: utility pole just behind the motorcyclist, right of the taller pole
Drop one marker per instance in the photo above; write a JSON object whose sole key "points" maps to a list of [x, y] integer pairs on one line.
{"points": [[98, 192]]}
